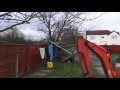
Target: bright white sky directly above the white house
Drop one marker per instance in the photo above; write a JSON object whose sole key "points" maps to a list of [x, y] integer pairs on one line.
{"points": [[109, 21]]}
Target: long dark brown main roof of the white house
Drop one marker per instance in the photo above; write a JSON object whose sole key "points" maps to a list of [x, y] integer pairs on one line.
{"points": [[98, 32]]}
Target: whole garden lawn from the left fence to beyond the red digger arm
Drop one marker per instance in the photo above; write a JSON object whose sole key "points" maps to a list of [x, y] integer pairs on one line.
{"points": [[66, 70]]}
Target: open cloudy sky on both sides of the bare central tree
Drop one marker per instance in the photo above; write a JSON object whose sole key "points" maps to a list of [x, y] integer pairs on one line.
{"points": [[108, 21]]}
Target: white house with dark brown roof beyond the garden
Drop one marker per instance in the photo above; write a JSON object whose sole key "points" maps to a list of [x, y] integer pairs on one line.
{"points": [[103, 37]]}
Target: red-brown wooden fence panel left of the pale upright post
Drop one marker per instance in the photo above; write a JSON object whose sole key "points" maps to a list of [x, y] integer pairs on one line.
{"points": [[7, 61]]}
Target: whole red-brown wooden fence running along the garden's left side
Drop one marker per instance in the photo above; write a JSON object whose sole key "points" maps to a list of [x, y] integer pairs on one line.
{"points": [[28, 59]]}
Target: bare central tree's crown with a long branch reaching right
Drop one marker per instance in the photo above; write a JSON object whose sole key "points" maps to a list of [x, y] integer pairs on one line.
{"points": [[54, 24]]}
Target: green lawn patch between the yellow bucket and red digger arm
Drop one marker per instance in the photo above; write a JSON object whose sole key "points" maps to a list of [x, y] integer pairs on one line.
{"points": [[65, 70]]}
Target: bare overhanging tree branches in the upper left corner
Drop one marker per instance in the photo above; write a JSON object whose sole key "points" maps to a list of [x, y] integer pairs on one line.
{"points": [[9, 20]]}
